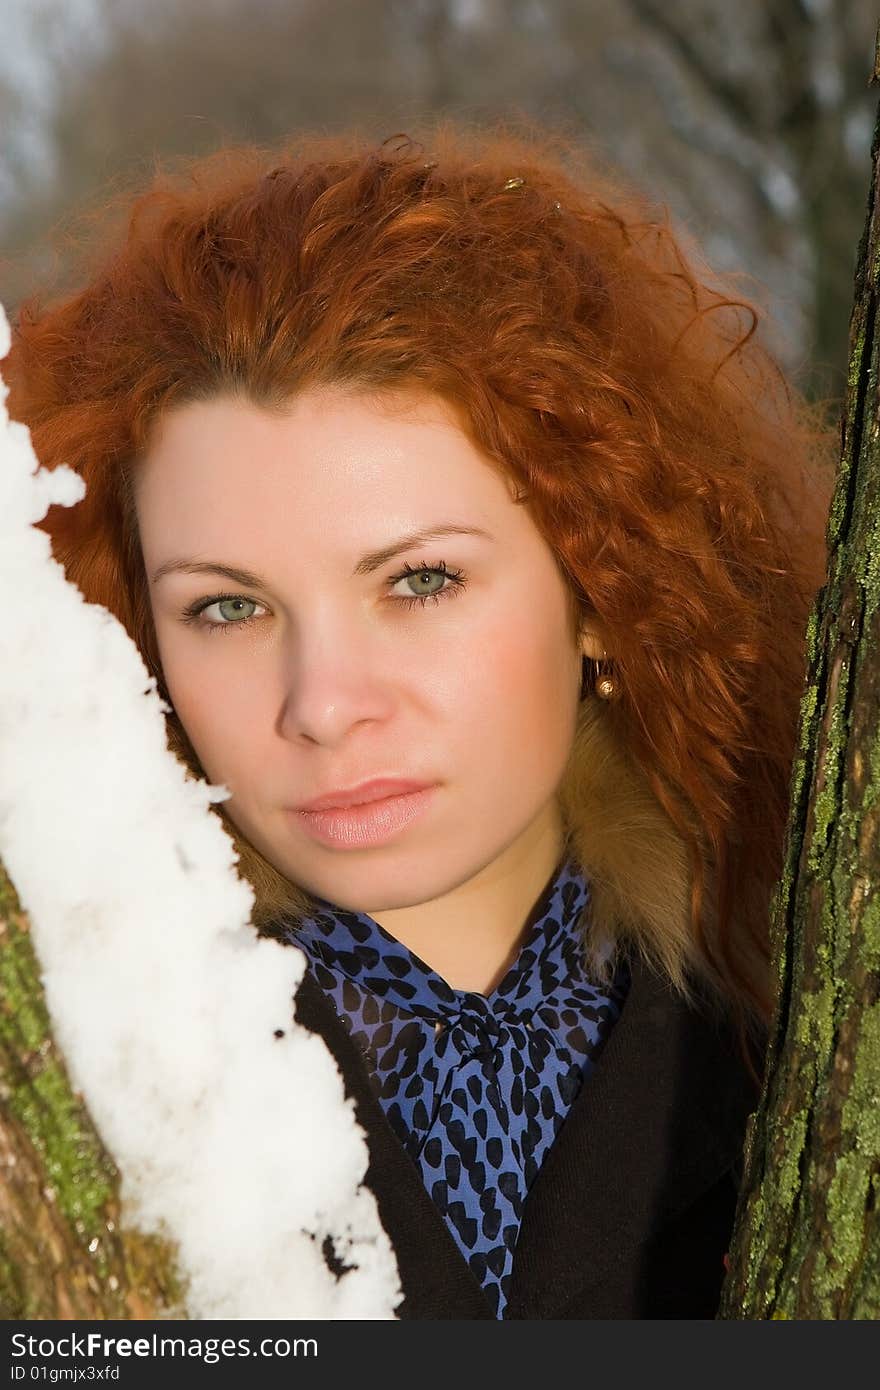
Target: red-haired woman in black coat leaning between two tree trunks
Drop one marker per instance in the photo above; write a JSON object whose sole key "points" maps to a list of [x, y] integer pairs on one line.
{"points": [[521, 530]]}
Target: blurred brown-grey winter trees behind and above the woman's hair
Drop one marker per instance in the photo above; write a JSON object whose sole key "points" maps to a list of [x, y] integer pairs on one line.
{"points": [[751, 122]]}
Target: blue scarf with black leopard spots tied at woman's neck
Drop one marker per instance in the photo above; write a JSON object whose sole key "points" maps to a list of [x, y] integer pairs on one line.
{"points": [[475, 1086]]}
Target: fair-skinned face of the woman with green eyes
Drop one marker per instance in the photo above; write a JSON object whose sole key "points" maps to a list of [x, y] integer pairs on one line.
{"points": [[329, 665]]}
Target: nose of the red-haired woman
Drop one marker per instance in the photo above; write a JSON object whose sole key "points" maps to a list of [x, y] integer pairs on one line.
{"points": [[332, 683]]}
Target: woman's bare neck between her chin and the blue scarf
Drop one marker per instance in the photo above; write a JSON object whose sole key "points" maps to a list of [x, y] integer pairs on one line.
{"points": [[473, 933]]}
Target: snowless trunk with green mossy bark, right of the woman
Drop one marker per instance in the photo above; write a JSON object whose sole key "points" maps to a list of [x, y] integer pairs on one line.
{"points": [[807, 1242]]}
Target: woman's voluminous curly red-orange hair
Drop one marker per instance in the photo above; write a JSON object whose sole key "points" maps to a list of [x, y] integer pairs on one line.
{"points": [[681, 482]]}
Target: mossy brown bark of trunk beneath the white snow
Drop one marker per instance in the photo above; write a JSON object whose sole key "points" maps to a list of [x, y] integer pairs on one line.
{"points": [[63, 1253]]}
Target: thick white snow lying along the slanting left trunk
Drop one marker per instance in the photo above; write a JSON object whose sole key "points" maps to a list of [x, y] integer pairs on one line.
{"points": [[230, 1140]]}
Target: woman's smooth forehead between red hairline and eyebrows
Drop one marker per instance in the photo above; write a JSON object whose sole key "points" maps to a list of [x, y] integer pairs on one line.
{"points": [[329, 454]]}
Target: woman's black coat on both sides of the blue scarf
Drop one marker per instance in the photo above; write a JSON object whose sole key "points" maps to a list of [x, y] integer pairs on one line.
{"points": [[632, 1211]]}
